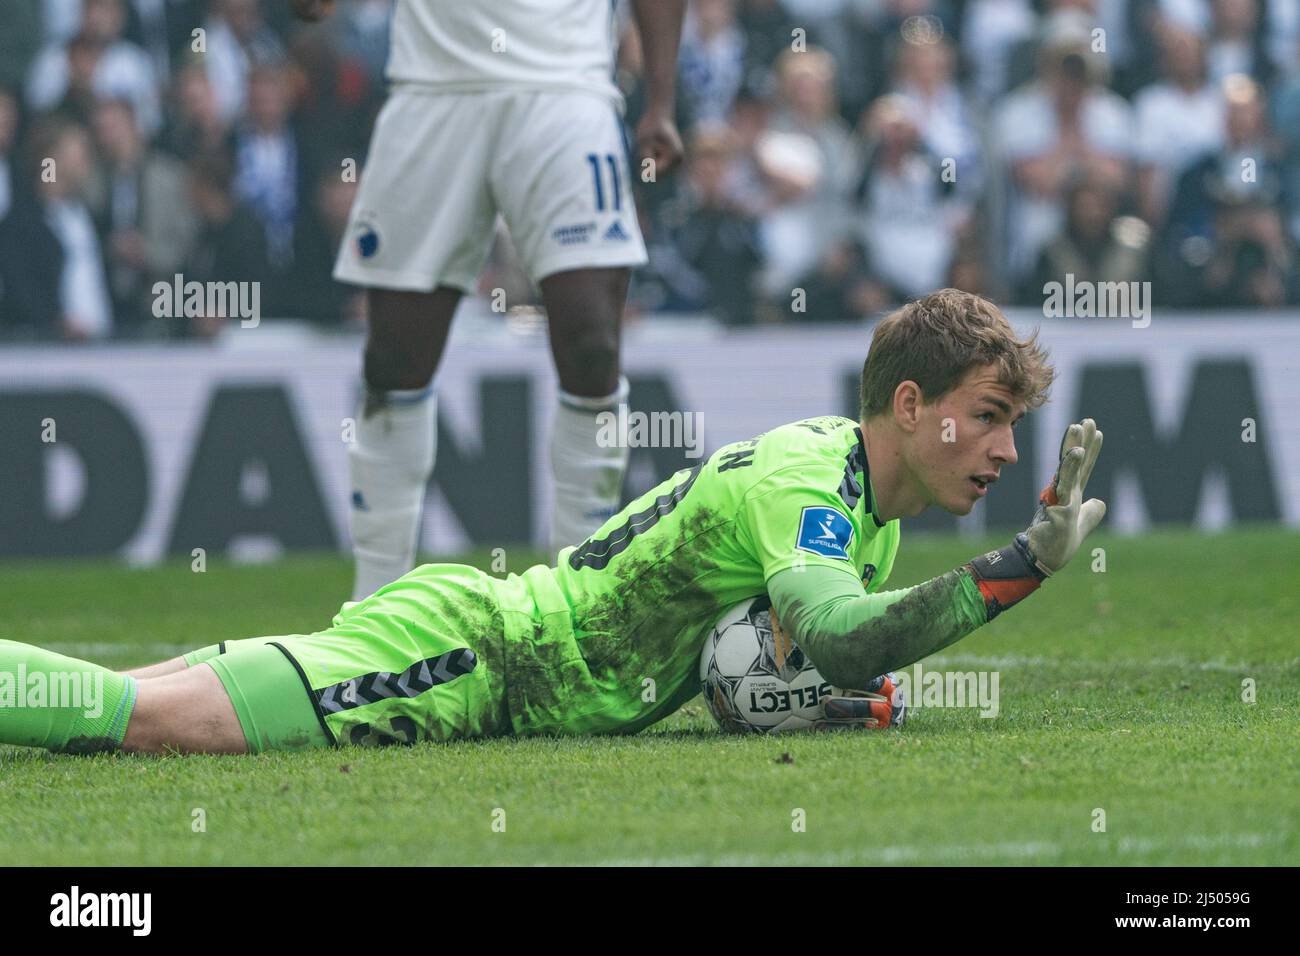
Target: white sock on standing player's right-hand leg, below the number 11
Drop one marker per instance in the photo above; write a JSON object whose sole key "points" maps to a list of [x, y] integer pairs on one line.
{"points": [[588, 473]]}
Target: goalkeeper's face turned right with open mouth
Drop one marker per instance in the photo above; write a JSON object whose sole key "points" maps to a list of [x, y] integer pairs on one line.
{"points": [[964, 440]]}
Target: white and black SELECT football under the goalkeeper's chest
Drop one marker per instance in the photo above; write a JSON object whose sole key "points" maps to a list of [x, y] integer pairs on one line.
{"points": [[755, 678]]}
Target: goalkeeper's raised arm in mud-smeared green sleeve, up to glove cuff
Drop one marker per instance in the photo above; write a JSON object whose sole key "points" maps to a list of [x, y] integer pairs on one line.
{"points": [[852, 638]]}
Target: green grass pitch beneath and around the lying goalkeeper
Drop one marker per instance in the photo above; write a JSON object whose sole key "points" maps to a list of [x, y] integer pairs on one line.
{"points": [[1121, 691]]}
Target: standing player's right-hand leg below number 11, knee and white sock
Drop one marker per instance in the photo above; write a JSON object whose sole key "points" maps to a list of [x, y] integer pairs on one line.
{"points": [[586, 317]]}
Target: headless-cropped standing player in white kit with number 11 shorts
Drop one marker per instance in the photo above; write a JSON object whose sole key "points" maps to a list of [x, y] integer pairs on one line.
{"points": [[497, 107]]}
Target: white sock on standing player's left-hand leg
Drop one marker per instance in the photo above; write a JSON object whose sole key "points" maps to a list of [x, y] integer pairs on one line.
{"points": [[391, 464]]}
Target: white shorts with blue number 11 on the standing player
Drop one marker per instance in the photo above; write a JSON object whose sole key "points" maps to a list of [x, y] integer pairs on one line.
{"points": [[443, 165]]}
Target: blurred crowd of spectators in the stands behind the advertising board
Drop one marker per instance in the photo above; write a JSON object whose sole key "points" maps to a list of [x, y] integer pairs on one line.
{"points": [[842, 155]]}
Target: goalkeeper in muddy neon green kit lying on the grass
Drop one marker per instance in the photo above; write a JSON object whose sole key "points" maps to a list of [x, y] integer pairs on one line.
{"points": [[808, 513]]}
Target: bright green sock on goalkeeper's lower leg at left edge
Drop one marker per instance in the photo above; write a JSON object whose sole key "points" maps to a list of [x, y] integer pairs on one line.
{"points": [[60, 703]]}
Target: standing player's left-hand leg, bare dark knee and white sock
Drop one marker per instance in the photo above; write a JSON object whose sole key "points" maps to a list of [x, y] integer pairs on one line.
{"points": [[392, 458]]}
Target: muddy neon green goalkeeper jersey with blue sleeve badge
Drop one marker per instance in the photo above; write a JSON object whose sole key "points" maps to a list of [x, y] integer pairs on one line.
{"points": [[610, 639]]}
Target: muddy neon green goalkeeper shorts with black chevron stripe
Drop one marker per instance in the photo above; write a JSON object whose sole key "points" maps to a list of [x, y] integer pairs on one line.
{"points": [[419, 660]]}
